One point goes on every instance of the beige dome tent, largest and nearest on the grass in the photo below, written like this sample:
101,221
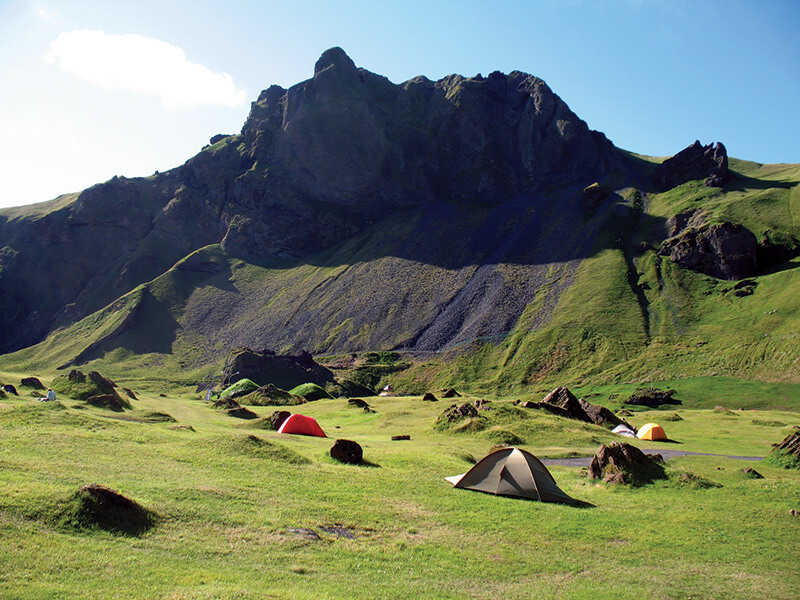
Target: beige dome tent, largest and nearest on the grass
511,472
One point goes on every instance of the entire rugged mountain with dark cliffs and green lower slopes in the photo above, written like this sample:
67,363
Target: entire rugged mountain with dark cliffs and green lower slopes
478,216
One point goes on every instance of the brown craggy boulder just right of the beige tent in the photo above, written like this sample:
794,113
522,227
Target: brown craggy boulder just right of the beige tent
622,463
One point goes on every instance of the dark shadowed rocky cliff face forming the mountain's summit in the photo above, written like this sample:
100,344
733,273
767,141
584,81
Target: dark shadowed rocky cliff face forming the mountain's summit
312,166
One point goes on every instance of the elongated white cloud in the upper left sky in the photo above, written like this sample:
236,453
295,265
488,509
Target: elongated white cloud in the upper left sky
135,63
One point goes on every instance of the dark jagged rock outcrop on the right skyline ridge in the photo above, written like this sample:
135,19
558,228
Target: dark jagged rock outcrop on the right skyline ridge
709,163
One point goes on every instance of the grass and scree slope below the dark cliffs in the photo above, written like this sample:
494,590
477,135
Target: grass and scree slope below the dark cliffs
479,297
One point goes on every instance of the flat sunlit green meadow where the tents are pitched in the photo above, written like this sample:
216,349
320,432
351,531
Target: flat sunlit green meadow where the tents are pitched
232,499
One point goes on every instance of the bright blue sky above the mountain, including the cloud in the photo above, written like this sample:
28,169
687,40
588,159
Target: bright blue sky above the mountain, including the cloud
90,89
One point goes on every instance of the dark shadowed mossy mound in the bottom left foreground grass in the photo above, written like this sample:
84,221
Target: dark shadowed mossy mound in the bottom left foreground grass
95,507
